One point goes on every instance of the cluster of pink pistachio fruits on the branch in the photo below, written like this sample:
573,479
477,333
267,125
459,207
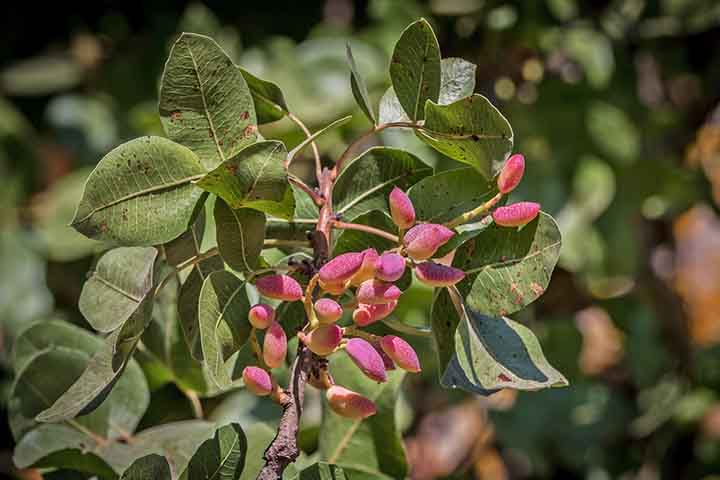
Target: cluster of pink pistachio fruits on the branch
367,279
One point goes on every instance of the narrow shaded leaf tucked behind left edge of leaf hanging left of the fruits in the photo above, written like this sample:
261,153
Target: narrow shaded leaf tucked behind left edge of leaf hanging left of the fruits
188,299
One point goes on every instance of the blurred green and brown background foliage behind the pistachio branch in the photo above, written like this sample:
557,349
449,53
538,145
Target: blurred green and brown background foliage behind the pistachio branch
613,104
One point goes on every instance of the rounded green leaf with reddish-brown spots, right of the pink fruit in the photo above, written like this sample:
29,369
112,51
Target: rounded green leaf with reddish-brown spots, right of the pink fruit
506,268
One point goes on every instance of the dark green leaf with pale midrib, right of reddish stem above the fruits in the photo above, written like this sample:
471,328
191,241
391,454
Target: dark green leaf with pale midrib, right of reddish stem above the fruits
365,183
